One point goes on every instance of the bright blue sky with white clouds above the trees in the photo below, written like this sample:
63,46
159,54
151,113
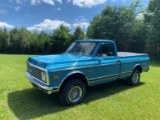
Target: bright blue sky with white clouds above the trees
48,15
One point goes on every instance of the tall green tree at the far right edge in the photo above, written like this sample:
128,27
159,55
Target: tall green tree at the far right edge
152,20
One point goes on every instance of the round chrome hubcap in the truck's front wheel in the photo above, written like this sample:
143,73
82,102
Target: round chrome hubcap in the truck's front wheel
75,94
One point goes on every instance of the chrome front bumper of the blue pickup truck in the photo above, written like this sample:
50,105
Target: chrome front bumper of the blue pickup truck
40,86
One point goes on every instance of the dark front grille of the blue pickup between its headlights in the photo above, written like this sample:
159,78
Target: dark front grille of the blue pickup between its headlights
35,72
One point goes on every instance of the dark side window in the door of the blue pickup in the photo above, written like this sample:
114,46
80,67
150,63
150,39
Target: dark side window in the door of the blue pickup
106,48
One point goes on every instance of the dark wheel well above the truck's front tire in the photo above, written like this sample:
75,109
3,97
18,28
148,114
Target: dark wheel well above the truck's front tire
77,76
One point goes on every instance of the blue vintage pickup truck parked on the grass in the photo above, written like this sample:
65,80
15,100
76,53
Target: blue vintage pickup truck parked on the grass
85,63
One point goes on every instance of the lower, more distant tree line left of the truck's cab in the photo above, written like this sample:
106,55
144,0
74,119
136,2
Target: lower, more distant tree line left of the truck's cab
23,41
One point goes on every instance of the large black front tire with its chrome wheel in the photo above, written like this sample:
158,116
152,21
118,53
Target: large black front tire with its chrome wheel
72,92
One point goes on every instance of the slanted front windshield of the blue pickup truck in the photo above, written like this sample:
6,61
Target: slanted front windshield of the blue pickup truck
81,48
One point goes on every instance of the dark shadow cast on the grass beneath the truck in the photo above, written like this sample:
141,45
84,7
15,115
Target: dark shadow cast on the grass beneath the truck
31,103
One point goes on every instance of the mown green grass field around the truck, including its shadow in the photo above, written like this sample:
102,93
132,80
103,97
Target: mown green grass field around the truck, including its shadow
112,101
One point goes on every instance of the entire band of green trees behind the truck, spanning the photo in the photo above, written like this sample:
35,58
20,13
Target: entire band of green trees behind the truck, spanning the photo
131,27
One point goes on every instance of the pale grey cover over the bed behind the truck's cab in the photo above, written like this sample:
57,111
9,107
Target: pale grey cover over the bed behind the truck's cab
129,54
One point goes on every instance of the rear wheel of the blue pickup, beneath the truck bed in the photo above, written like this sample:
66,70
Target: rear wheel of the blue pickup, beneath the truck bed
134,79
